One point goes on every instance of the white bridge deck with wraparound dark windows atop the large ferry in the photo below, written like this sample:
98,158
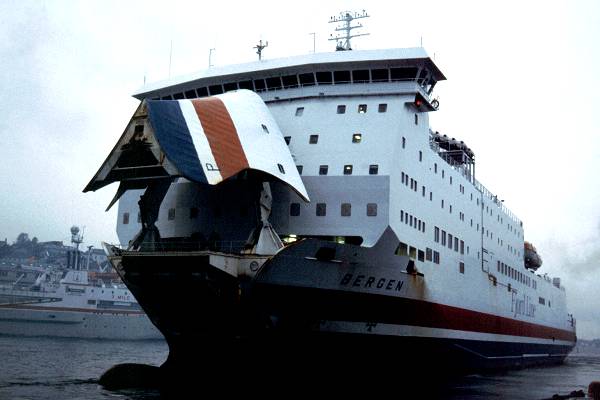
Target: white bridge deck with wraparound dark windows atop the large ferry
362,73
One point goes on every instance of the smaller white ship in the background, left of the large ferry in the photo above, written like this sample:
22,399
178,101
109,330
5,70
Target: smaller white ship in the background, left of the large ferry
70,302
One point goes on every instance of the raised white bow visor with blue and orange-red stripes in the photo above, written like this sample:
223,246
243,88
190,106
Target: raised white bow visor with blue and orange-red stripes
206,140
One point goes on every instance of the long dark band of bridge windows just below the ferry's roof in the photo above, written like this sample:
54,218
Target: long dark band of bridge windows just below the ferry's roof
423,77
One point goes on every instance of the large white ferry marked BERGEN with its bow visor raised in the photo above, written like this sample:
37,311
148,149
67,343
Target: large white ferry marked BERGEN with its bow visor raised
306,204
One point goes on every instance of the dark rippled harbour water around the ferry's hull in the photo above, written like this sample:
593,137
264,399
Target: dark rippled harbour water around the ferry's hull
51,368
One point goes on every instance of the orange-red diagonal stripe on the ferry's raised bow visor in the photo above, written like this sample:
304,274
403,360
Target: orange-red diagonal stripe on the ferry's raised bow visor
222,136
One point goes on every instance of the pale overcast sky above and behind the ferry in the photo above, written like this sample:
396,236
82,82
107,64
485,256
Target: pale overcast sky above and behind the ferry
521,92
